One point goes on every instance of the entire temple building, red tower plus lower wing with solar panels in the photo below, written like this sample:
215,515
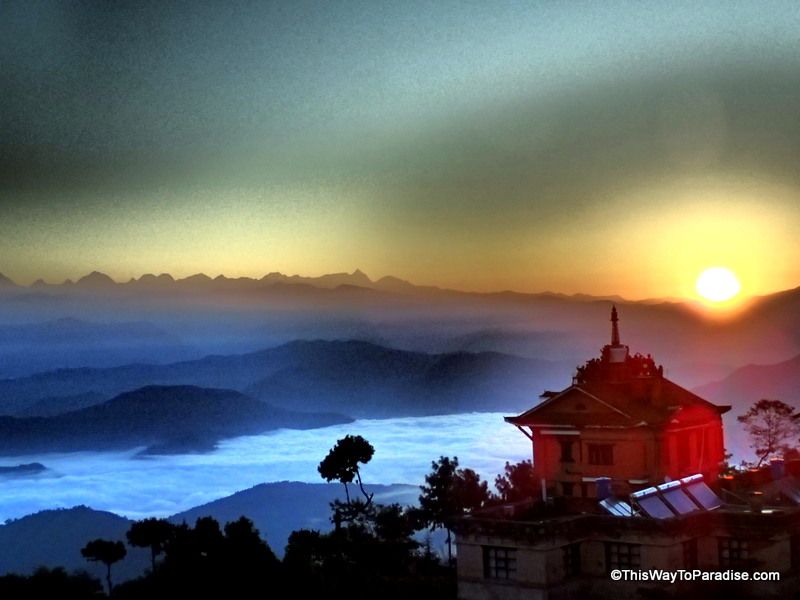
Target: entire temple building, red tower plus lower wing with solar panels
622,423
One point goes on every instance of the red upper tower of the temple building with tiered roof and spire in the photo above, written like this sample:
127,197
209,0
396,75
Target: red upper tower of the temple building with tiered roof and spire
621,418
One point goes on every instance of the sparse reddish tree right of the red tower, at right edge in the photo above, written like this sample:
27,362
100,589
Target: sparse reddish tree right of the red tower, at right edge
770,425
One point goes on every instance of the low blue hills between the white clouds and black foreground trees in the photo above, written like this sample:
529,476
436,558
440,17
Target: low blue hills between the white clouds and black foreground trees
55,537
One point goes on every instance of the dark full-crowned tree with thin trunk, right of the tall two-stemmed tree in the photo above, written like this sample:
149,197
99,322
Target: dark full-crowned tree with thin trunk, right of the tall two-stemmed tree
449,492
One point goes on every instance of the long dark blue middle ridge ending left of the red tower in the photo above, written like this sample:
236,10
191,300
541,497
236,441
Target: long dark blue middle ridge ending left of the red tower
355,378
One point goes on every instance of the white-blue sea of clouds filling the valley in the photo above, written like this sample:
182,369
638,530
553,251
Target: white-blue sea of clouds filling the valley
145,486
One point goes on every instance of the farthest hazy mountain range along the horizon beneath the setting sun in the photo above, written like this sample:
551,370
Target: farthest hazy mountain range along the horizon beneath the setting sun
203,315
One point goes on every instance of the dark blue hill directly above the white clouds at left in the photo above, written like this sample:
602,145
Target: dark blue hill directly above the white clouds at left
166,419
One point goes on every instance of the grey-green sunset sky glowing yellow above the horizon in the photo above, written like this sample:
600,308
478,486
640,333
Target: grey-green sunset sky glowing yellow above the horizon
596,147
